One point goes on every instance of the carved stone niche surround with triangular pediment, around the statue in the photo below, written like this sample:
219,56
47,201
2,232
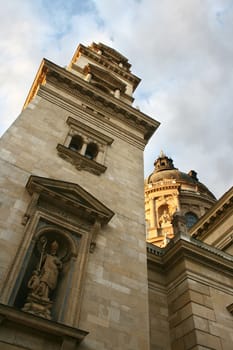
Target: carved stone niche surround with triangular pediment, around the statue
76,238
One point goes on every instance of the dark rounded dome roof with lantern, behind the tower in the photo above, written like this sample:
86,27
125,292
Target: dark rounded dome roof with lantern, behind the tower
165,170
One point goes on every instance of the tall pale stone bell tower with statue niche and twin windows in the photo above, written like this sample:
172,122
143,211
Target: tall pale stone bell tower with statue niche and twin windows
73,258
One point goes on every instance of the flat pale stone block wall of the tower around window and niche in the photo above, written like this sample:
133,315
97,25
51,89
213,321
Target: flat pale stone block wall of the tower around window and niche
114,307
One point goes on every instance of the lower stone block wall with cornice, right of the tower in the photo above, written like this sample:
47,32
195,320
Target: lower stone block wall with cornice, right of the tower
198,286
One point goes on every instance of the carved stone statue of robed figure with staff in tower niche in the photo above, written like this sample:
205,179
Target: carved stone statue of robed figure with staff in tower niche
43,281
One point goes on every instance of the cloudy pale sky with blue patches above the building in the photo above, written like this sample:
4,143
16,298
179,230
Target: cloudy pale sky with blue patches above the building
181,49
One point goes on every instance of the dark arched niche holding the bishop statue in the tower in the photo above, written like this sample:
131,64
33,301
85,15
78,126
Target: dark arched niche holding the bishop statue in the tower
48,268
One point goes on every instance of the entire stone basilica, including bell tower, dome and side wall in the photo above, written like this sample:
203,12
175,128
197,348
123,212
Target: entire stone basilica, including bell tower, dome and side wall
79,268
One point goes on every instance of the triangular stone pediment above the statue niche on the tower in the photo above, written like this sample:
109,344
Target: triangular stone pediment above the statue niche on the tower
70,195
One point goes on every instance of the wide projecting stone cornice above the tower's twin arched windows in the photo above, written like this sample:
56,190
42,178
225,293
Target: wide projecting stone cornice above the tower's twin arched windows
50,72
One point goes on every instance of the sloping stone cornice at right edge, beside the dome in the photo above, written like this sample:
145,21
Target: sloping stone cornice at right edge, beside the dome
214,215
